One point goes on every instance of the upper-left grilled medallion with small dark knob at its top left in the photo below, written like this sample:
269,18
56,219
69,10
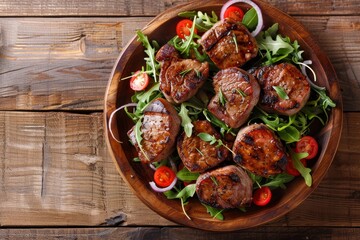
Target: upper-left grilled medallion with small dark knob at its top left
180,79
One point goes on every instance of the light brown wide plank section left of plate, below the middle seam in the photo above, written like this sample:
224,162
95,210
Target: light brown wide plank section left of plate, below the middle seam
56,171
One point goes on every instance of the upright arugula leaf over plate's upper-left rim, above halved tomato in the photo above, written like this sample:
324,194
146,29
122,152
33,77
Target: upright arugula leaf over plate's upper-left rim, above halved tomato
151,64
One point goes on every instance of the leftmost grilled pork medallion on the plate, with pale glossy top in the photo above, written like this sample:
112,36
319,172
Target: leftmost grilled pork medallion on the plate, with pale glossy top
159,128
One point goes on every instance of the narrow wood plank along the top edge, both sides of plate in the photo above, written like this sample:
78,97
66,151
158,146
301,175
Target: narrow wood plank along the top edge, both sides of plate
151,8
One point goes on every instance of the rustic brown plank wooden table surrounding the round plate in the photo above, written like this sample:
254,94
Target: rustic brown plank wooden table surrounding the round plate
57,177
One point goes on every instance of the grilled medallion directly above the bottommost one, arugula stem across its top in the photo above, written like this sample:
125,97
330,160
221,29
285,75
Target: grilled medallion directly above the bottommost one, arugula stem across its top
198,155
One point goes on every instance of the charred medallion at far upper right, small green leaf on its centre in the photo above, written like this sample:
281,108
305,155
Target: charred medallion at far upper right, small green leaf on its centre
289,80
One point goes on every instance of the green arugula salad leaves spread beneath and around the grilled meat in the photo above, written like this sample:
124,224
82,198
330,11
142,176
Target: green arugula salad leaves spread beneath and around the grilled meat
273,48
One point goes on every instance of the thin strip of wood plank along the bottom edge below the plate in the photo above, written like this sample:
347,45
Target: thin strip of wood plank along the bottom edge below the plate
151,233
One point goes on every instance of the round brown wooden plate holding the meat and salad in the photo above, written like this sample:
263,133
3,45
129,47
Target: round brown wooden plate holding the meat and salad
118,93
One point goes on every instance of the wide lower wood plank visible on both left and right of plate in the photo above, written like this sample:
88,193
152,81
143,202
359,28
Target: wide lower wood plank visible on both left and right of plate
56,171
